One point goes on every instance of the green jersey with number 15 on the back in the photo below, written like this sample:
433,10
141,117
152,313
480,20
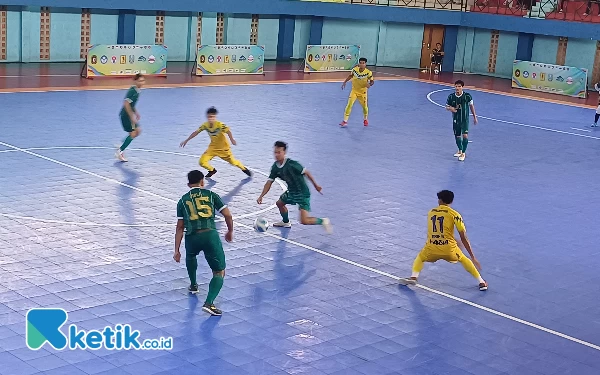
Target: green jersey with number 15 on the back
197,209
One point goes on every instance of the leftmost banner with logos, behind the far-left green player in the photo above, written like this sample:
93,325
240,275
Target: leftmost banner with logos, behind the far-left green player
126,60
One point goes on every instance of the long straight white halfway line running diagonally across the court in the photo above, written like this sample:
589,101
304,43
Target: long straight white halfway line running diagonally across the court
450,296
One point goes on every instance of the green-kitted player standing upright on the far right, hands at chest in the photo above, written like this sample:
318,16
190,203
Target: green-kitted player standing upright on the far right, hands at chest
459,103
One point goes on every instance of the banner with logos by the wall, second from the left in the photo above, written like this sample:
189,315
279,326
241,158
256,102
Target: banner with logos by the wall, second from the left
230,59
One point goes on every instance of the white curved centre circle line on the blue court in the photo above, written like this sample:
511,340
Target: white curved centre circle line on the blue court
119,225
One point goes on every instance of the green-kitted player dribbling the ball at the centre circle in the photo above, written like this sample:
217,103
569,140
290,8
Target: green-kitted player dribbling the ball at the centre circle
294,174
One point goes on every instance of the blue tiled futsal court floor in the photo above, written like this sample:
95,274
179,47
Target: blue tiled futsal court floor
81,232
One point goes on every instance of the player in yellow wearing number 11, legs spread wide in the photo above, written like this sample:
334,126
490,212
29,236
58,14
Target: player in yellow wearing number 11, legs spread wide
441,244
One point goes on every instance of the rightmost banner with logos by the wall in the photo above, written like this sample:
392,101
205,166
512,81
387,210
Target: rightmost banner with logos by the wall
556,79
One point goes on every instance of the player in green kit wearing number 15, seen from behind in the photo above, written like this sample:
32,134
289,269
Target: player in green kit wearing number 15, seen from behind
196,218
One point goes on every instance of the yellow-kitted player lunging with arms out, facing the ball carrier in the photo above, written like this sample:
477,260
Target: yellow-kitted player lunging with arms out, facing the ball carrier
219,147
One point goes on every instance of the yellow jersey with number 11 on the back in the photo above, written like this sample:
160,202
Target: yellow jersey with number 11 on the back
440,228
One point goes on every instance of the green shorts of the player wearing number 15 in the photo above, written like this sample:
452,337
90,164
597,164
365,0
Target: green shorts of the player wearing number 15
208,242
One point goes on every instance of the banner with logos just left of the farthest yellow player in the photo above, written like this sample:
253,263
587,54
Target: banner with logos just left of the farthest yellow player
331,58
